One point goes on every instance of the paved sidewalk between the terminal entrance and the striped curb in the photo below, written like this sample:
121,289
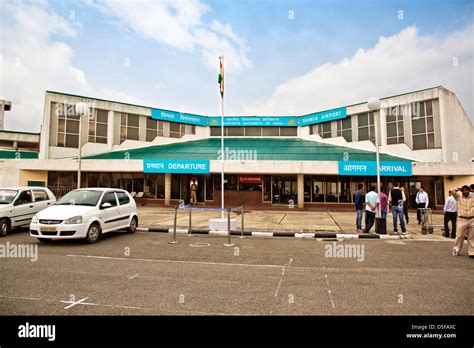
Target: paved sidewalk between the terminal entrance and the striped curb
278,221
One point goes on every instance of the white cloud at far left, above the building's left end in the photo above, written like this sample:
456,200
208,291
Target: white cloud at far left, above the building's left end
31,63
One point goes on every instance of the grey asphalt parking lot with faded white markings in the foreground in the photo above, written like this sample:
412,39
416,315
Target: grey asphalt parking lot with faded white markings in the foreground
141,274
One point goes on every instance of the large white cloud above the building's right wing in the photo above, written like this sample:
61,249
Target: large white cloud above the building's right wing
399,63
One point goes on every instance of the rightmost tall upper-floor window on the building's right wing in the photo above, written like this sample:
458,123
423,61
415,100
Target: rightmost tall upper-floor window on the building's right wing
423,126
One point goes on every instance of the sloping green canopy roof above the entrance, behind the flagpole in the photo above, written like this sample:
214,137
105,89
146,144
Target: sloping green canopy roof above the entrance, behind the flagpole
283,149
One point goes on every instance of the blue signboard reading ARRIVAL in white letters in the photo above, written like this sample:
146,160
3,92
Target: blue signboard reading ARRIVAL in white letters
370,168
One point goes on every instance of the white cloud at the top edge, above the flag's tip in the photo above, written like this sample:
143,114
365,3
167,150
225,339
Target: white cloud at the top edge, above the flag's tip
179,24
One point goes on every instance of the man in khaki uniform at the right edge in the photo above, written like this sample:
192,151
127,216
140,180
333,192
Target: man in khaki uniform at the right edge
465,223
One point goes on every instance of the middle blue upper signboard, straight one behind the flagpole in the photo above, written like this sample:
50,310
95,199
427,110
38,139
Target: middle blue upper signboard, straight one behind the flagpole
255,121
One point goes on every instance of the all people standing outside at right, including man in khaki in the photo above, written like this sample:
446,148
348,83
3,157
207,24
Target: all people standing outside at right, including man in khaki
458,210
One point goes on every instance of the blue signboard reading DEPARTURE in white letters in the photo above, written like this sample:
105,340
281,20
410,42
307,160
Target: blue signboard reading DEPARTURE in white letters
176,166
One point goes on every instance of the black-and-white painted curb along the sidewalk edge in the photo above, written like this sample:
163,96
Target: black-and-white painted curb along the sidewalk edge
300,235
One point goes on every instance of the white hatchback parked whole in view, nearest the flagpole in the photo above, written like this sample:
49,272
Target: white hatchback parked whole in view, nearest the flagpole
86,213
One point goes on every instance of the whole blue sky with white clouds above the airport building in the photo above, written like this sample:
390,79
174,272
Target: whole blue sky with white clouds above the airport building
281,57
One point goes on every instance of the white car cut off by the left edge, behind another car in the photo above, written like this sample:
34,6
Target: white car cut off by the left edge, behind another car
18,205
